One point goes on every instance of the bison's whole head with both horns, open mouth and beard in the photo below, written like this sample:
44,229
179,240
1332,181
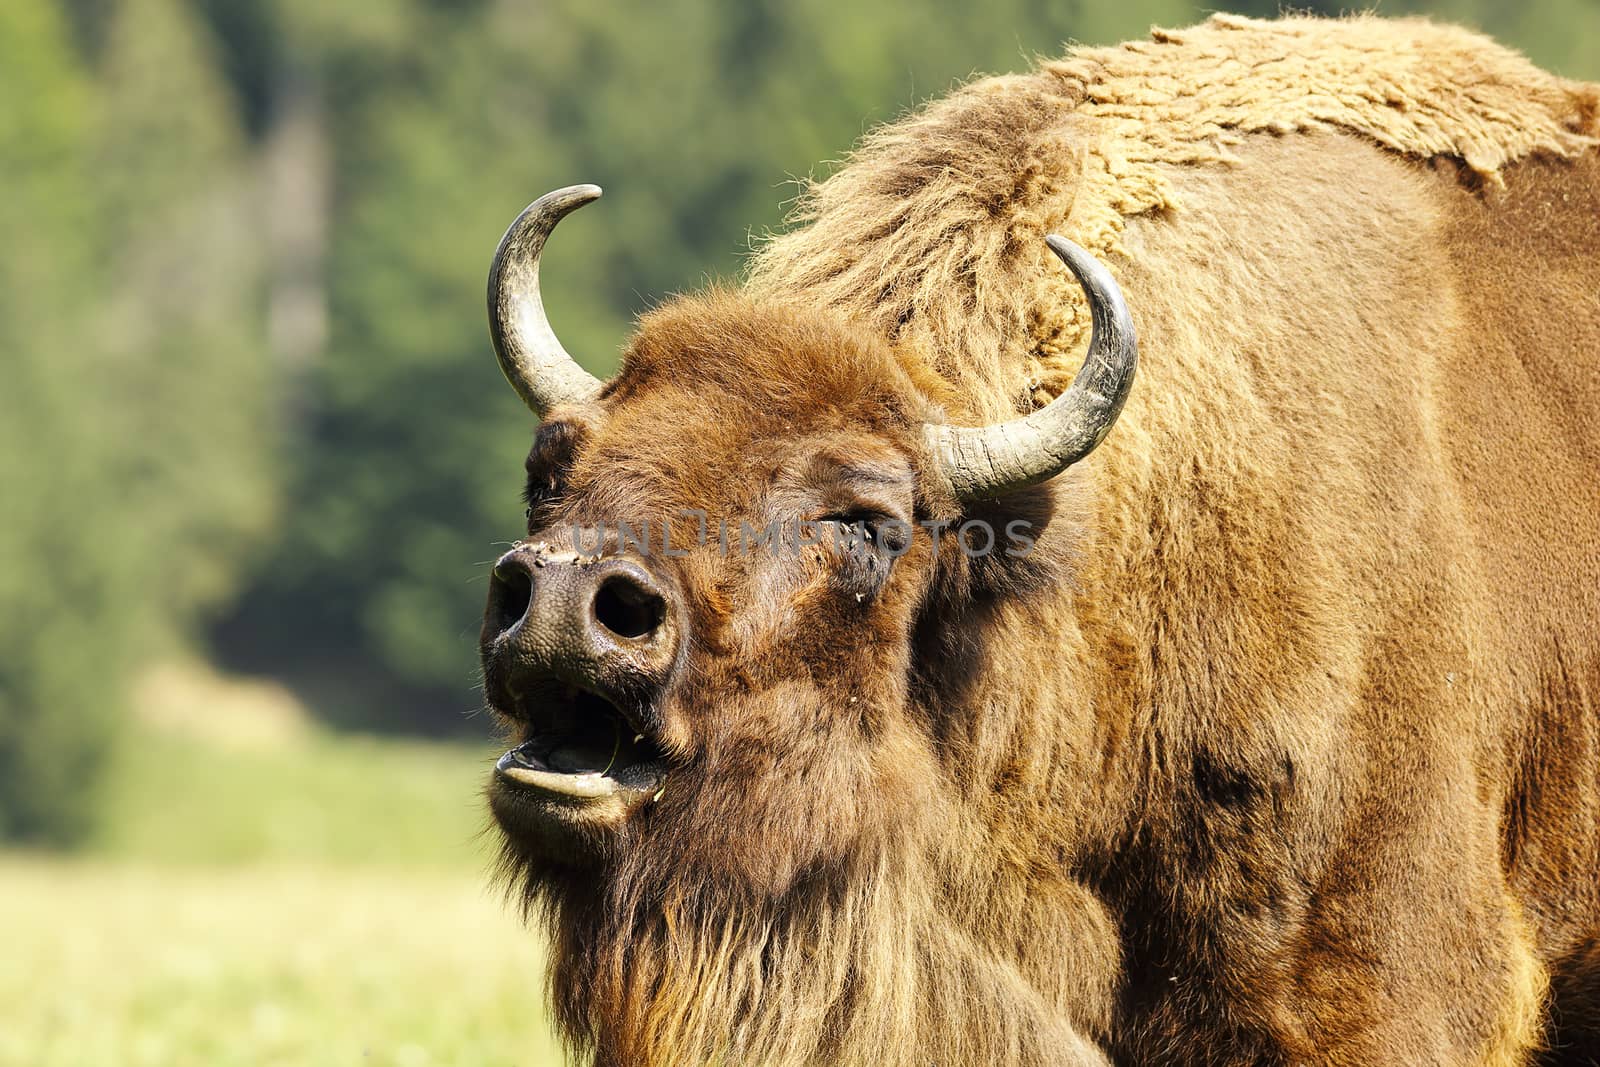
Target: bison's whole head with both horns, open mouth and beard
721,650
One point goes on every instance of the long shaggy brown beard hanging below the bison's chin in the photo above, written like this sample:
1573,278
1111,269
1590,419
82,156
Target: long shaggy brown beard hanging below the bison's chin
854,967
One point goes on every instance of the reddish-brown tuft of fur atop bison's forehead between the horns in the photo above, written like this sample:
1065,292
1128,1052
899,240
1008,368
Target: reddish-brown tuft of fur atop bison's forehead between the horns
730,356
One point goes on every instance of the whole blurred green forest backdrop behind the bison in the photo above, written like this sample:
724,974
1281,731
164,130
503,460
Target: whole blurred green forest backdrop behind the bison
250,399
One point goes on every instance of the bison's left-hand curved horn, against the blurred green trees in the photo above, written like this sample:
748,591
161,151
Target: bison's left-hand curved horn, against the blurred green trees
530,356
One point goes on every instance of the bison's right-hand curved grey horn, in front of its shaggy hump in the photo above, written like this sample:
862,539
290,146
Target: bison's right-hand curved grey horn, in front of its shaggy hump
986,462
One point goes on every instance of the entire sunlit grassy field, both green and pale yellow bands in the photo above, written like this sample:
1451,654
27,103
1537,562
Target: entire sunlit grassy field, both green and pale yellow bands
303,900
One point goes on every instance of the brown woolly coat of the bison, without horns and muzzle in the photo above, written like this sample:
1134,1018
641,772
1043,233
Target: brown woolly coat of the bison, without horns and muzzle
1284,746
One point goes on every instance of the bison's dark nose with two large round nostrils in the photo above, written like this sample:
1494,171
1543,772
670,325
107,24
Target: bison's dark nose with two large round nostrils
582,620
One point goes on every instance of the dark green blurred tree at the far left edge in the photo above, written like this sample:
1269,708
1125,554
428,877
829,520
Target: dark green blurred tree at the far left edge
60,634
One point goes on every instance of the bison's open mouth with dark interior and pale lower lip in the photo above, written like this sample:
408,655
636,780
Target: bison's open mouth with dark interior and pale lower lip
582,746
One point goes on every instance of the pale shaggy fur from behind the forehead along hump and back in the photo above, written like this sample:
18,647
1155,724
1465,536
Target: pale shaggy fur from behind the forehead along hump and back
934,231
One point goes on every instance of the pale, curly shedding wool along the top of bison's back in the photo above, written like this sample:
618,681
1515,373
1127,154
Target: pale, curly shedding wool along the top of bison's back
1415,87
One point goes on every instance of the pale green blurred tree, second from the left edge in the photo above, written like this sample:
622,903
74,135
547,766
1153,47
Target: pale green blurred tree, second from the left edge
180,321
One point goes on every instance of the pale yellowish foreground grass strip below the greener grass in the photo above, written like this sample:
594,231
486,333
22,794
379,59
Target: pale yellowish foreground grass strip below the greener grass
151,967
